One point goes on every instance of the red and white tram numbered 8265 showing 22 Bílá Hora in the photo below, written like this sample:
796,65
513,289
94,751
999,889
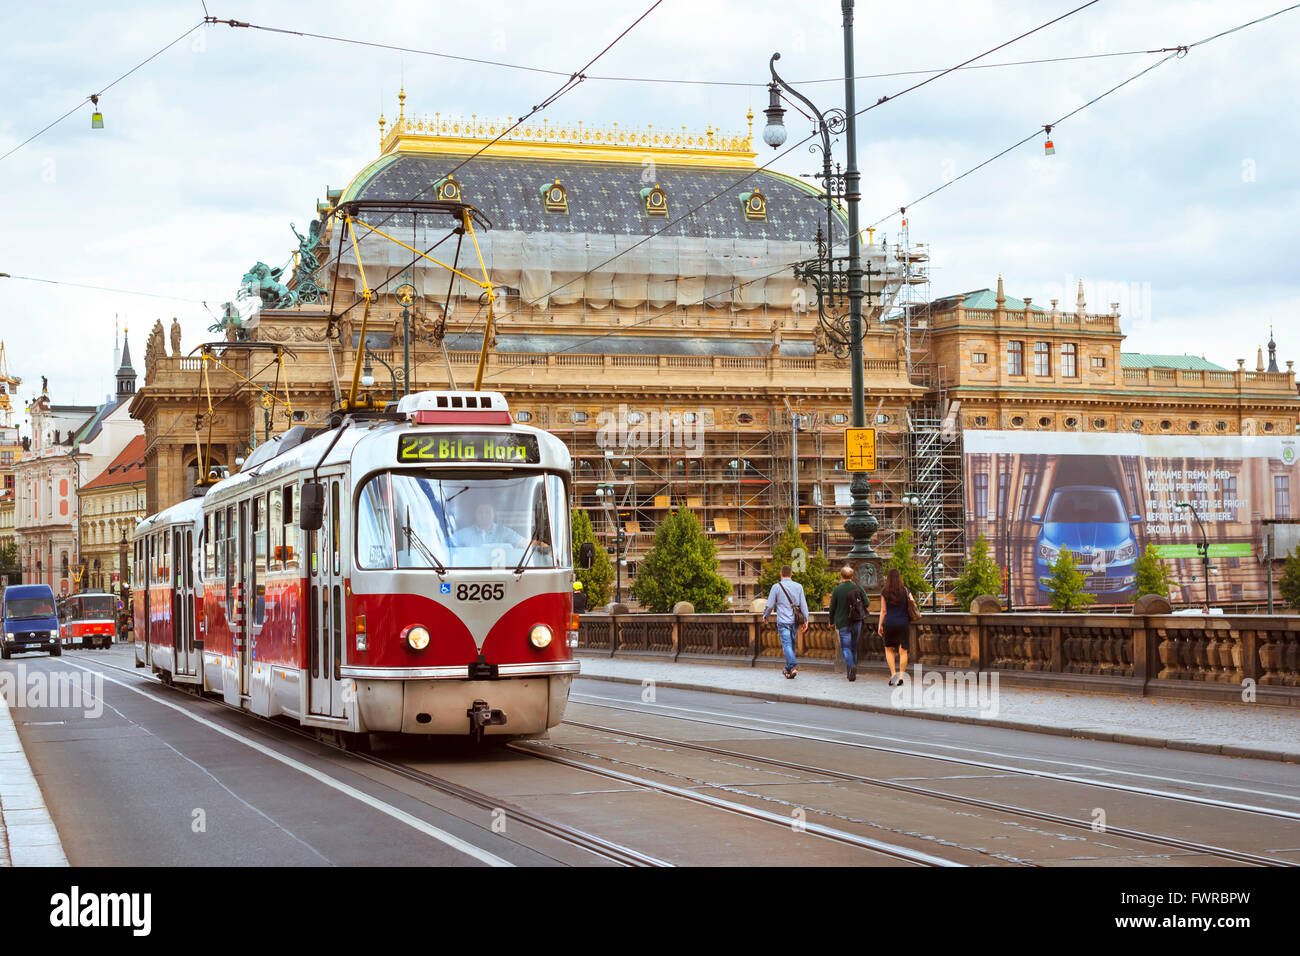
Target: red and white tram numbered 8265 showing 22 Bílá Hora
401,573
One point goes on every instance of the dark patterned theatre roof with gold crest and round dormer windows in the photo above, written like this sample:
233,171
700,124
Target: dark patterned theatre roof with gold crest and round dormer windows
608,178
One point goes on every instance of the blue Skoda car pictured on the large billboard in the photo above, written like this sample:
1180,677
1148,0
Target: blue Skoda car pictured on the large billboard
1093,525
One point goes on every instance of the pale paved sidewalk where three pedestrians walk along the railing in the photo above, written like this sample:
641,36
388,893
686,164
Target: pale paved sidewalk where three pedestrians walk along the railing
1233,730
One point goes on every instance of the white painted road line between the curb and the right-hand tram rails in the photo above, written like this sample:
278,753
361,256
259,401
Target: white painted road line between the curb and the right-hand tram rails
783,729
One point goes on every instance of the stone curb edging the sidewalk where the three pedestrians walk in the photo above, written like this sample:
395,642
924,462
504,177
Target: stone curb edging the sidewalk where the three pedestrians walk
1084,733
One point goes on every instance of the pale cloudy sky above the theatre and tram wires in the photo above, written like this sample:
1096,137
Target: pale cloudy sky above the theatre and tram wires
1176,197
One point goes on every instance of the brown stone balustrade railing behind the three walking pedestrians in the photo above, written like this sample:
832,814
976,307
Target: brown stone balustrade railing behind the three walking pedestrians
1230,657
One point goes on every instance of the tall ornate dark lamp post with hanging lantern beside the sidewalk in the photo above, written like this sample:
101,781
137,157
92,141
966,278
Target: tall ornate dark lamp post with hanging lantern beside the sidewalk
830,282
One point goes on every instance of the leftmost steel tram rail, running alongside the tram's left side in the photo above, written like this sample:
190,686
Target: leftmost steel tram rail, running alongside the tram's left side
570,836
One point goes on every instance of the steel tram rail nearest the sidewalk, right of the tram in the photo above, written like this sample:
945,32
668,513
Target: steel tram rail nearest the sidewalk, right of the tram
1043,816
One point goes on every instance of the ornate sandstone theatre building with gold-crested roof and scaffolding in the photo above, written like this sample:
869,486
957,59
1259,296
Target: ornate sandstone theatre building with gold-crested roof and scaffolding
648,314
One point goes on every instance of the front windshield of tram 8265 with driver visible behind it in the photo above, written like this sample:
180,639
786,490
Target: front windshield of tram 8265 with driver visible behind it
467,521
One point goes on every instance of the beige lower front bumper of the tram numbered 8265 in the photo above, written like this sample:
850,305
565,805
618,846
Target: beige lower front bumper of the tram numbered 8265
531,706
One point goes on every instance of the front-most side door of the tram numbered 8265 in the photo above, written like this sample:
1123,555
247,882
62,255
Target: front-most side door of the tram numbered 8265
328,607
